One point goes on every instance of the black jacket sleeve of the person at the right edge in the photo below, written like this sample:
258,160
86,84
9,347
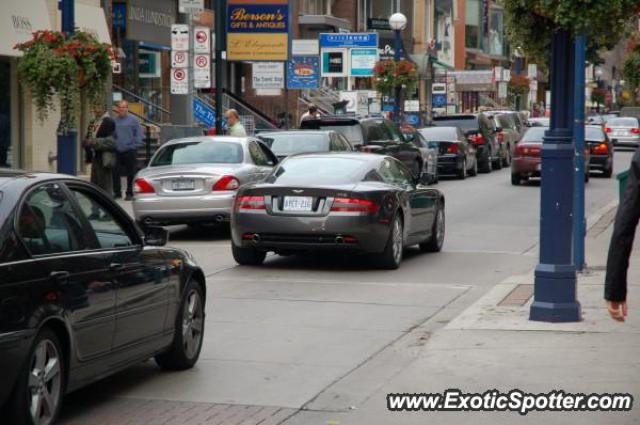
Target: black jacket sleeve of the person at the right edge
624,231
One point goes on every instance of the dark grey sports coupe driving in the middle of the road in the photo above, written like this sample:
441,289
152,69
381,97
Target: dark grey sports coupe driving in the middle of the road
359,203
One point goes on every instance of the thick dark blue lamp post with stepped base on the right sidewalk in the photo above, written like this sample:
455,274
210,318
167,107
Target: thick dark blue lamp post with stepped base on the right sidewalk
555,276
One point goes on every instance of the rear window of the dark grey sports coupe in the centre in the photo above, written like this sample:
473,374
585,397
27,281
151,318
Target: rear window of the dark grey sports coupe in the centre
318,171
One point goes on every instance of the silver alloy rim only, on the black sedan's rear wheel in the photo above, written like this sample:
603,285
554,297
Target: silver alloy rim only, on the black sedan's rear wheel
45,383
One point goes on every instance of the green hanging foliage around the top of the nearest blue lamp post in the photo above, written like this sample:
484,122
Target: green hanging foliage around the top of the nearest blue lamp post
530,23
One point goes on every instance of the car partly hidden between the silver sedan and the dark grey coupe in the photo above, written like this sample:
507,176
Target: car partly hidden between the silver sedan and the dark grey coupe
285,143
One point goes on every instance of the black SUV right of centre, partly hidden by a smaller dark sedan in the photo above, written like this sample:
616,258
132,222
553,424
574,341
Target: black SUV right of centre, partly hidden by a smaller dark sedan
481,133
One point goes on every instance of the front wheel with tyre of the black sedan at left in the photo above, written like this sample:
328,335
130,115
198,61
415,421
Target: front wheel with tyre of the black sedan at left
189,331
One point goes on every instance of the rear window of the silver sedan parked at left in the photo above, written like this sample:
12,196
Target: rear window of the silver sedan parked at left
199,152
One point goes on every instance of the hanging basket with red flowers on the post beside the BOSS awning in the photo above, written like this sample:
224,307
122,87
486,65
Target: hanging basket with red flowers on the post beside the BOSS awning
61,67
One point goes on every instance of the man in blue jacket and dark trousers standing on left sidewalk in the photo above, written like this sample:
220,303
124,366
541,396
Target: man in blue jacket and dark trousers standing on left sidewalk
128,138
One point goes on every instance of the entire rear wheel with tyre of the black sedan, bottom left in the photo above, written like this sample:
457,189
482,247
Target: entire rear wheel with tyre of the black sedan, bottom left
38,394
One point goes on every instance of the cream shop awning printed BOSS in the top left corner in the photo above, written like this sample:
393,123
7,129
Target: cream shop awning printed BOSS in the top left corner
18,20
